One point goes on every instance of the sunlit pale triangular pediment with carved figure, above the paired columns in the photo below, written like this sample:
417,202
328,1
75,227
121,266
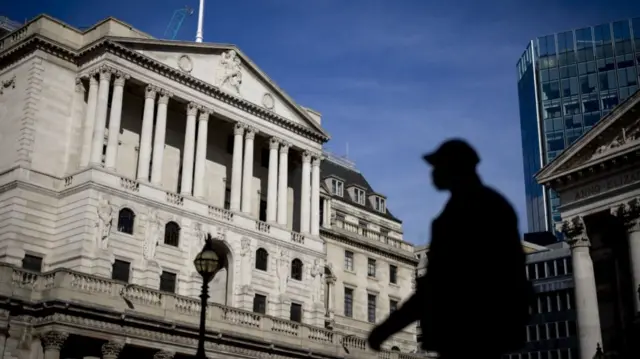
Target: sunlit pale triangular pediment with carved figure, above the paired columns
229,69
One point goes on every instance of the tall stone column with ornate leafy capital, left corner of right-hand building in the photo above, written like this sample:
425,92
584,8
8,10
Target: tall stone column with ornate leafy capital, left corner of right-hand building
588,315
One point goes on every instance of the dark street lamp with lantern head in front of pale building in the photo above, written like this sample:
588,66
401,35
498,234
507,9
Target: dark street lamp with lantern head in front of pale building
207,263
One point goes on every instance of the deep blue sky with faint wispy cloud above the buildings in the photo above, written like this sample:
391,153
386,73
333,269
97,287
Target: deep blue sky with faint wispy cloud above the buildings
392,78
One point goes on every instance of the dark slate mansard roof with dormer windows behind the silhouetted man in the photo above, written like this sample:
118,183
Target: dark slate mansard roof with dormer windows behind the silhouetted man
352,177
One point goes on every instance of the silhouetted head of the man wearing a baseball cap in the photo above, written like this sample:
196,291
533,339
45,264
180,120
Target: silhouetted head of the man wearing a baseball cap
454,164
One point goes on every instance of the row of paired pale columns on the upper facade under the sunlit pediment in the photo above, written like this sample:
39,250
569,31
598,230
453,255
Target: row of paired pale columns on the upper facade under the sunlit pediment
152,143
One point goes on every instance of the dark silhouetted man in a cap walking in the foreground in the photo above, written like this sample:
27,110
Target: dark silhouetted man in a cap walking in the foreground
473,301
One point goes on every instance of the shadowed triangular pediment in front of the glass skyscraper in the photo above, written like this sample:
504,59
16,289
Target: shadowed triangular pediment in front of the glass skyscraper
617,134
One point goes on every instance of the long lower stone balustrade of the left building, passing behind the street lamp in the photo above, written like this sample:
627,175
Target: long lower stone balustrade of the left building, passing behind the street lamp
74,287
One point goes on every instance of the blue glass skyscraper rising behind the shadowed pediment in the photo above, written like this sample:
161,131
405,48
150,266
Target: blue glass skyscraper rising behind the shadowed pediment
567,81
